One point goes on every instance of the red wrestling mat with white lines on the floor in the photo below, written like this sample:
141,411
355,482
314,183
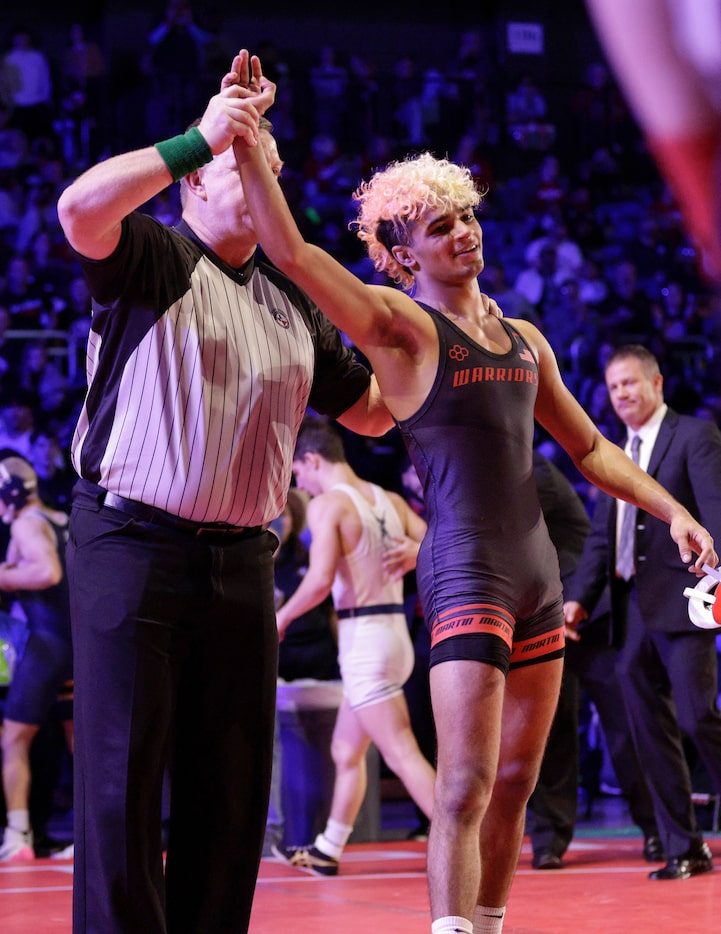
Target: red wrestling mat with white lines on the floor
382,888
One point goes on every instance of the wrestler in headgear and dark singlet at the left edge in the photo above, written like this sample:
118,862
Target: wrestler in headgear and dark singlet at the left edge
34,570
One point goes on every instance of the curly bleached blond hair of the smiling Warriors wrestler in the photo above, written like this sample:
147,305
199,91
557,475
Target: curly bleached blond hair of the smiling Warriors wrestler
397,195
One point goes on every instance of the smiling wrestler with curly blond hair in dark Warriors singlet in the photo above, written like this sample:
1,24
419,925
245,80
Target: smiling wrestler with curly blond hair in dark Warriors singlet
464,386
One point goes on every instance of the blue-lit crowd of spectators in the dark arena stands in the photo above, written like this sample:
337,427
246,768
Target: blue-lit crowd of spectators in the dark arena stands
586,242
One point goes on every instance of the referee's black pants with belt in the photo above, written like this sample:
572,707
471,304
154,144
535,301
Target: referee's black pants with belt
175,658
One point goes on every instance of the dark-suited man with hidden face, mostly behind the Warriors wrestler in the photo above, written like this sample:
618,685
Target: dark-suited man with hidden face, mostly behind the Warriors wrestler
589,664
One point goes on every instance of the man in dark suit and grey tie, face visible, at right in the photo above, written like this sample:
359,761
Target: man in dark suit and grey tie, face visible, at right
668,670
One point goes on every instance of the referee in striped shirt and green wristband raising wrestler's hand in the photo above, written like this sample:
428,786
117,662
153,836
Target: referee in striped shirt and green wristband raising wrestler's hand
201,361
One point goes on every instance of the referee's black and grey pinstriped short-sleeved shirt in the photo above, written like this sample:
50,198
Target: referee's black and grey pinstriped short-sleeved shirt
199,376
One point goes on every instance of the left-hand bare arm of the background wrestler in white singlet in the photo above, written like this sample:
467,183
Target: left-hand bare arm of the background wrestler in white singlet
324,555
